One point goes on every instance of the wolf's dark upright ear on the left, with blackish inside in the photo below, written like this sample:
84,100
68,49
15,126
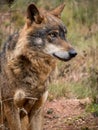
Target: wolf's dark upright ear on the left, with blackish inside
33,15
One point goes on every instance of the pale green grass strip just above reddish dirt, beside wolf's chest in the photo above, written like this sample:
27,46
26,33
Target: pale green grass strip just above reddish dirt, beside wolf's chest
69,90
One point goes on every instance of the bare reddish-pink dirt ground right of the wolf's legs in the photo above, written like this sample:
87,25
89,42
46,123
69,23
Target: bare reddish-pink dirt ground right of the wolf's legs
69,114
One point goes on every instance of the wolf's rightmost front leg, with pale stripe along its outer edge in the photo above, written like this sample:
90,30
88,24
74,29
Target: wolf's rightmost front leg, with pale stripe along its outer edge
36,114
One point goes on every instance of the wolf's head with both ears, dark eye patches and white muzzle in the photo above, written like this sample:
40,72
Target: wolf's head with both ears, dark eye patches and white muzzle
46,33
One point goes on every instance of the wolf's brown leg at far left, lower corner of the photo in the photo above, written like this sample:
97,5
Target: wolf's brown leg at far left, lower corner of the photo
12,116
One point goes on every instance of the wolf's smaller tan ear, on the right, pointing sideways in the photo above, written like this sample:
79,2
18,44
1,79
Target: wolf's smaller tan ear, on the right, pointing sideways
57,11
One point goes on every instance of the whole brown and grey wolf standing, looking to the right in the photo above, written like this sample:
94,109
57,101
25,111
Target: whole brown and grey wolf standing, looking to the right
26,61
